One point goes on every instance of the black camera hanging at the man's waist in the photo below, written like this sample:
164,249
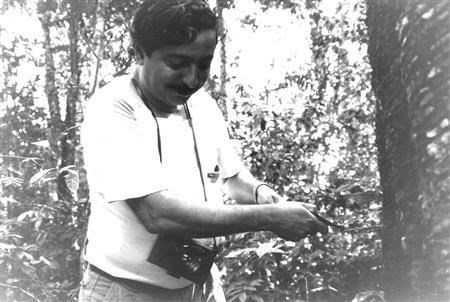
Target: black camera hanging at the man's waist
183,257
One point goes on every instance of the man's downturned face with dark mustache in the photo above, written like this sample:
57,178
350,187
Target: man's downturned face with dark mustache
171,74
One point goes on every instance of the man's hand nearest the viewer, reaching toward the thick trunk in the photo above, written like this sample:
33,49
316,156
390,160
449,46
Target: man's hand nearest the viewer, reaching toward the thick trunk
295,222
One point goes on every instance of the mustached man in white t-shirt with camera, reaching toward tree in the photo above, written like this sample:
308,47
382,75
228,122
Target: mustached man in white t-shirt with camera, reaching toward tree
158,155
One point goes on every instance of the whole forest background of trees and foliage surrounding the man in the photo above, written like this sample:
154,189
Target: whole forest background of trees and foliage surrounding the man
344,104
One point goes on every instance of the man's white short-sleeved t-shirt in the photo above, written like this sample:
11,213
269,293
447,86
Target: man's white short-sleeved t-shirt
119,137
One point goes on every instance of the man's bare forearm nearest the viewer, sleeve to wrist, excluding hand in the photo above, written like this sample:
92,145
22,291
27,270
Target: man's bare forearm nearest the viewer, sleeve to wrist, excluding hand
165,213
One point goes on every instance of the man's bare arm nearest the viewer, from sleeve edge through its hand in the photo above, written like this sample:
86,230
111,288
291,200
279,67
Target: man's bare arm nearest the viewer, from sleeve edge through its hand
165,213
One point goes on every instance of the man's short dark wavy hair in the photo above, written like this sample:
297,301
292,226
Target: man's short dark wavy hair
159,23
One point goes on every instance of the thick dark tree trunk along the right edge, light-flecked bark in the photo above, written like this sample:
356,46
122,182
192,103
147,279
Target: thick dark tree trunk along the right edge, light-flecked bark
409,53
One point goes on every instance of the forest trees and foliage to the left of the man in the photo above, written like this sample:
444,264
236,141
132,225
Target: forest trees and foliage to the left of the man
44,197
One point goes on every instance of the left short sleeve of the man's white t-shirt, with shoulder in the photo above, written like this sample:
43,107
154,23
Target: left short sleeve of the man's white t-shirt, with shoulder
121,151
